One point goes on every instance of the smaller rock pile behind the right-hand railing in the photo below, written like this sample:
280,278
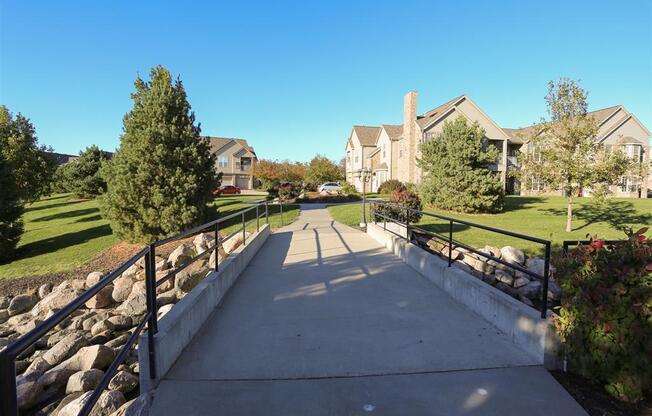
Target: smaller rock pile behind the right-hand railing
517,284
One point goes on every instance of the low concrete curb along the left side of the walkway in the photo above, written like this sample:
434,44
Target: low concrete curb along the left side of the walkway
179,326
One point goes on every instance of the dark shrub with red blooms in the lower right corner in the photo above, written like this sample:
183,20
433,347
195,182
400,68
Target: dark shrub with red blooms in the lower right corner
605,317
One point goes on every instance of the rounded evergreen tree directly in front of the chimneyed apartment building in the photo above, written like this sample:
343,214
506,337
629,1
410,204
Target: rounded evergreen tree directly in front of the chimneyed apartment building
457,170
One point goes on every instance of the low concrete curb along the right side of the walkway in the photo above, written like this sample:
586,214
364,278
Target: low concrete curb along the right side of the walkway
522,323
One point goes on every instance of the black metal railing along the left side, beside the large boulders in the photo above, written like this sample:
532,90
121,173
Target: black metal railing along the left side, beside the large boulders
8,403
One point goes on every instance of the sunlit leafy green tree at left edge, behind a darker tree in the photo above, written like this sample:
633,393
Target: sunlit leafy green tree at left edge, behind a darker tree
33,169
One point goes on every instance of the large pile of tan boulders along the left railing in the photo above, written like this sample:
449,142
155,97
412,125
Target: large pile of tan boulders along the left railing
57,374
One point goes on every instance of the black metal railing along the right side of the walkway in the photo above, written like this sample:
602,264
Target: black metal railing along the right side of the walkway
452,243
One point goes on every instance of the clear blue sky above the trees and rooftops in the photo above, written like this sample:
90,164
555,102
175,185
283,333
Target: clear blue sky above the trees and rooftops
292,77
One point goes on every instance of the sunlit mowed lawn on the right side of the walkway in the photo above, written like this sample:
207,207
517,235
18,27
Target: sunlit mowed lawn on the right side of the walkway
543,217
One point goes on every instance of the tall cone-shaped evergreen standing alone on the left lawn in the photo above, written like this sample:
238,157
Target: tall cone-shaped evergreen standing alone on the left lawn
160,179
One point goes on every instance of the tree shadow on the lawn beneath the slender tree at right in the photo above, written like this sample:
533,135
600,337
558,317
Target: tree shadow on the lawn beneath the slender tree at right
619,215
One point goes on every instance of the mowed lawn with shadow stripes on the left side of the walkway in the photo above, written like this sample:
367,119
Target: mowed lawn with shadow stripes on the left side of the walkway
62,234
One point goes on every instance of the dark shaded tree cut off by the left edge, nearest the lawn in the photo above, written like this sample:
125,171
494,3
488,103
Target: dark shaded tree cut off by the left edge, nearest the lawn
11,210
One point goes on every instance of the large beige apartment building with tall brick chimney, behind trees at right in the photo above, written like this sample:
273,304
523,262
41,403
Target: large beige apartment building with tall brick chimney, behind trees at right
390,151
